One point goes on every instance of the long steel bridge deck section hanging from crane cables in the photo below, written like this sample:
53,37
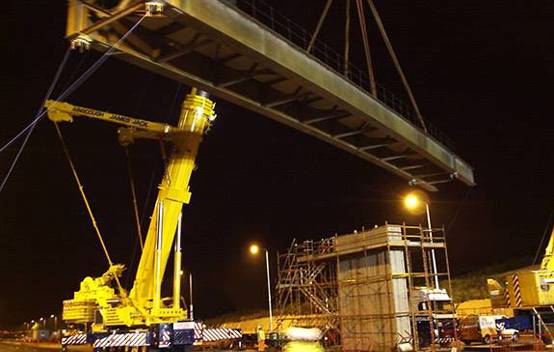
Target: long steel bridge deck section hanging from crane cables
217,47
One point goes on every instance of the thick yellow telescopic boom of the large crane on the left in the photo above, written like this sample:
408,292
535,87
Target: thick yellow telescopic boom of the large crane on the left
173,193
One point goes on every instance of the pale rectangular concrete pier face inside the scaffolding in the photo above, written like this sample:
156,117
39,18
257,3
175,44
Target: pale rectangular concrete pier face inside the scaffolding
374,308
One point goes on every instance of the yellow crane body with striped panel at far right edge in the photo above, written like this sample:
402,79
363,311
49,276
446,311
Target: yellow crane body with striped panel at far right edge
528,288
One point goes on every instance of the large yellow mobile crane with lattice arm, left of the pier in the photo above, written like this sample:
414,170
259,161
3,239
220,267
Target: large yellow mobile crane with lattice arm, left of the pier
144,304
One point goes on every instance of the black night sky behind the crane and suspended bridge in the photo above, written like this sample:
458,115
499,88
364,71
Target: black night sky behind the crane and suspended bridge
481,70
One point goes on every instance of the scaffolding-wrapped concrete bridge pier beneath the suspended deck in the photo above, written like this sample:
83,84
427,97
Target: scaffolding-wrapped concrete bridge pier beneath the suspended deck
371,290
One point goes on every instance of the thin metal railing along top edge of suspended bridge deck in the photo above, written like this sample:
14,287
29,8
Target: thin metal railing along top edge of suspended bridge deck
300,37
